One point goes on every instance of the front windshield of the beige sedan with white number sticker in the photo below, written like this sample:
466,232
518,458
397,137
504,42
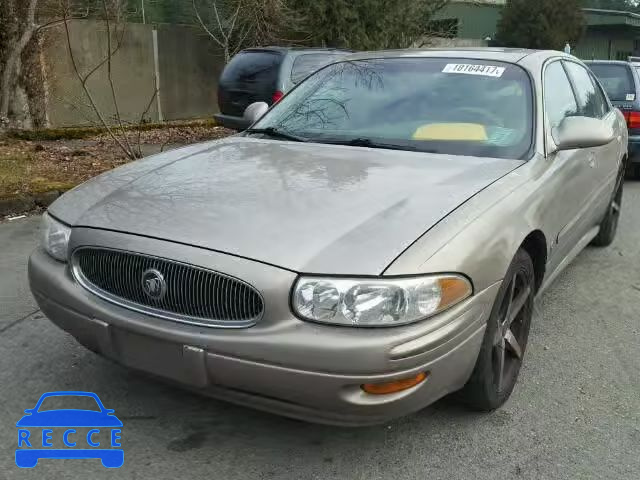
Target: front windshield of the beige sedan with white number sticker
450,106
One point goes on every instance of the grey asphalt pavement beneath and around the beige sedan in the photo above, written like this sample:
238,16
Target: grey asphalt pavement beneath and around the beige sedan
575,413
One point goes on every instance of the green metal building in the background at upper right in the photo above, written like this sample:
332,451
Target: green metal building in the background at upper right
609,34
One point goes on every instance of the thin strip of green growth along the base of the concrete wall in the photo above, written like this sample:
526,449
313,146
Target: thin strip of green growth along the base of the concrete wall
79,133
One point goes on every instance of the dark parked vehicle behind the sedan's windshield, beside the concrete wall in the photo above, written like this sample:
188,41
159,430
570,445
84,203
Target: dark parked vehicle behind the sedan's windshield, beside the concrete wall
265,75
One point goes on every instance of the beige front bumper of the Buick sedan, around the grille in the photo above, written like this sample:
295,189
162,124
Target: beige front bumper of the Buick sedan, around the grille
281,365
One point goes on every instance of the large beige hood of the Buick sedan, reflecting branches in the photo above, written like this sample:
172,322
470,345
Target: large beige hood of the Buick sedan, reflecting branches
305,207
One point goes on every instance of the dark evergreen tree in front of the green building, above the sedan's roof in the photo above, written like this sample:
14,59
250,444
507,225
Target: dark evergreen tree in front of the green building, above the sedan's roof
541,24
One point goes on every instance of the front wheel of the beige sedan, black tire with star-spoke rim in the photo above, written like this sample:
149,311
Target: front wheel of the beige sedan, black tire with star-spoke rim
491,384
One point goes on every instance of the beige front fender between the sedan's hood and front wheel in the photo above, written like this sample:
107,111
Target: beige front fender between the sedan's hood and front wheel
481,237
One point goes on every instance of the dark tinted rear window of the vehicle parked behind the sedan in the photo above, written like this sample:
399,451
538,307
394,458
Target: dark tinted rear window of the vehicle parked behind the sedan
251,68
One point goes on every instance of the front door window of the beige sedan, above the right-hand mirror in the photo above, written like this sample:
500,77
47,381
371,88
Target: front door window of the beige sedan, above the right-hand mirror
559,101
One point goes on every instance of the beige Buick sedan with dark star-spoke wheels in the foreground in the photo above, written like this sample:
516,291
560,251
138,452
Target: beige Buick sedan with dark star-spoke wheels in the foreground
373,243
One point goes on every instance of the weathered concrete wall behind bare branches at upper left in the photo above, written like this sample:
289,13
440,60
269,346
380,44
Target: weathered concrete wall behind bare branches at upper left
188,71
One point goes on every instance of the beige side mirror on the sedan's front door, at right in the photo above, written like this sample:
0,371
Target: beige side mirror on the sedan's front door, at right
581,132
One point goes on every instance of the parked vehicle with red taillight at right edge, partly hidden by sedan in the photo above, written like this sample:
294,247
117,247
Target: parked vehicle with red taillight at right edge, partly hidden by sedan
621,81
